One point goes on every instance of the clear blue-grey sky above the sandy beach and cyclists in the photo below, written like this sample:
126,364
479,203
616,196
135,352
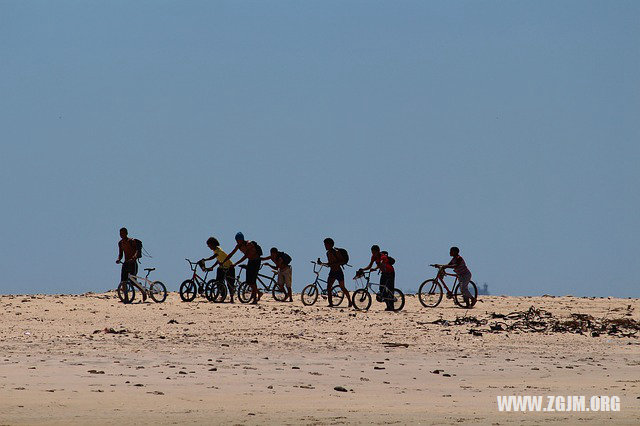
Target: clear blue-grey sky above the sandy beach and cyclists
508,128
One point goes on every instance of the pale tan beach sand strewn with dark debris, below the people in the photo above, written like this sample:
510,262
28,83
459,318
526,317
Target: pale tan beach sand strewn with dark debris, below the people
279,363
